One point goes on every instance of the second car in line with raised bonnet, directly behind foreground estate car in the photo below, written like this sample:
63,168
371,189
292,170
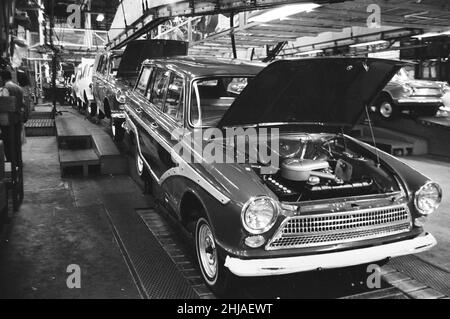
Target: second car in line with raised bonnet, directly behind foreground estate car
115,72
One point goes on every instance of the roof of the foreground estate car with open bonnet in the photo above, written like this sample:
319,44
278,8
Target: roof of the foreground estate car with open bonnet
194,67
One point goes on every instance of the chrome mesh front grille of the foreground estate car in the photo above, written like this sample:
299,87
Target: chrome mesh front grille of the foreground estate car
326,229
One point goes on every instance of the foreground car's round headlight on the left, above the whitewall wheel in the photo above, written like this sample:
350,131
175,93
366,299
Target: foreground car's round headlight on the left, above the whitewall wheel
259,214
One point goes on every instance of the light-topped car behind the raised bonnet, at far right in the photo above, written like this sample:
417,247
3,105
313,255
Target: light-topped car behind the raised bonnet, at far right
421,97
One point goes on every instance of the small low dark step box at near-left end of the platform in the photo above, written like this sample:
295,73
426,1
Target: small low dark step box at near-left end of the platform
74,161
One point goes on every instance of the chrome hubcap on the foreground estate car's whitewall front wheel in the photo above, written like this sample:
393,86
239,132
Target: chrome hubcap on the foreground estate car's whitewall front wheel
207,250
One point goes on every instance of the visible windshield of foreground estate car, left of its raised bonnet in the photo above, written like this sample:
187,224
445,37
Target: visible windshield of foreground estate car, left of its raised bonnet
211,97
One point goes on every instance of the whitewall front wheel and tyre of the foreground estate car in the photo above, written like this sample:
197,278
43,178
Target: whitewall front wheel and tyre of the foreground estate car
212,268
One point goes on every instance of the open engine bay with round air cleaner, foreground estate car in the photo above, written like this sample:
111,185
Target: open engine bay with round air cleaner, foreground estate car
321,166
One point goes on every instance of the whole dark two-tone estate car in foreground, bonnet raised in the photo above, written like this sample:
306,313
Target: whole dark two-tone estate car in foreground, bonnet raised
332,201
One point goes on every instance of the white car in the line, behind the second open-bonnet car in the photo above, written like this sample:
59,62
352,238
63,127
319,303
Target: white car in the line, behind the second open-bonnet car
82,86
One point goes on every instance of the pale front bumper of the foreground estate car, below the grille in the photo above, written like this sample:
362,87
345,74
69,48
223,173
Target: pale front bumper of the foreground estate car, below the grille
288,265
